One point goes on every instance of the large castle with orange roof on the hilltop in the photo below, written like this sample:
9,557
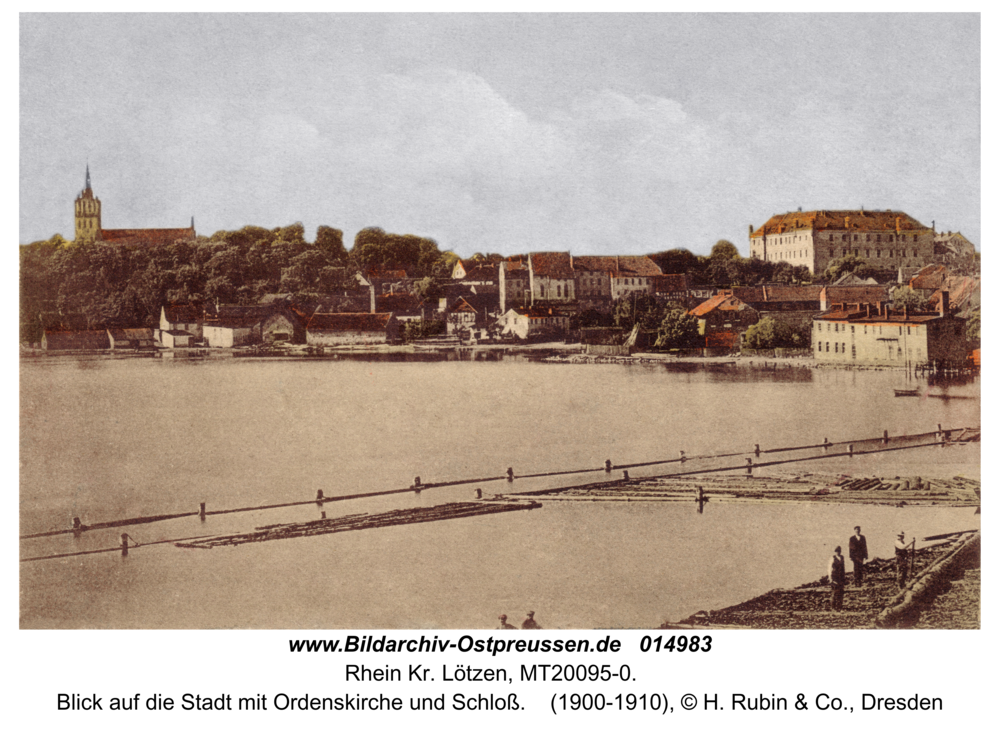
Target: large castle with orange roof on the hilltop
888,238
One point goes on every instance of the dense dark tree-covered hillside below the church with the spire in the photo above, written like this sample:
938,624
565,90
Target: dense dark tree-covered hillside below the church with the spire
114,285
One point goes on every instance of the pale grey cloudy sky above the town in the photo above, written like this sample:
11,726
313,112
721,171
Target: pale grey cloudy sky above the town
596,134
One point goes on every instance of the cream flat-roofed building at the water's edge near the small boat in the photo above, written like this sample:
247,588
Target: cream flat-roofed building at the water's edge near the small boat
880,335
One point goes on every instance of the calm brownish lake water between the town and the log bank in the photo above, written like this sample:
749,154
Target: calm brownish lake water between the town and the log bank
106,439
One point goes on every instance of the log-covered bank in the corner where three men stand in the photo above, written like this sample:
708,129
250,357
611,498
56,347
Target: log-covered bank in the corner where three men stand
944,593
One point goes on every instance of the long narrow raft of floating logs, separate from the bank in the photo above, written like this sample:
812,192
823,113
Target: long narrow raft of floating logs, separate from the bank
355,522
